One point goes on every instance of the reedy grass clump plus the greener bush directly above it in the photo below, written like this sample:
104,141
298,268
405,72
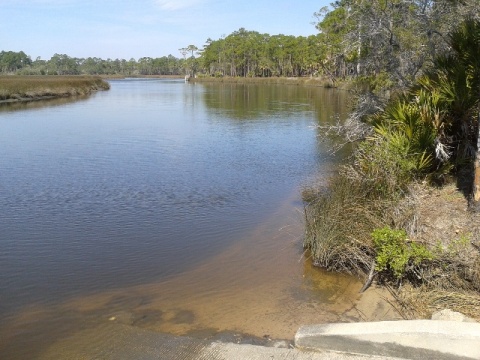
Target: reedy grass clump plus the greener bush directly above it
364,195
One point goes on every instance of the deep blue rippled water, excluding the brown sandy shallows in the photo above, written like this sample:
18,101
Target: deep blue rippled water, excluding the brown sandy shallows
143,182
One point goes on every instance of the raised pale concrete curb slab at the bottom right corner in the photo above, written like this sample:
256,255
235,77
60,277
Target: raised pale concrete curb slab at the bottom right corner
412,339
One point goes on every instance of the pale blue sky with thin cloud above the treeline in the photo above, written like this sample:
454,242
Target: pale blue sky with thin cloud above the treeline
136,28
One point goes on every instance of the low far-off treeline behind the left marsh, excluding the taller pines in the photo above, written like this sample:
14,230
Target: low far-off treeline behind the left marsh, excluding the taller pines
60,64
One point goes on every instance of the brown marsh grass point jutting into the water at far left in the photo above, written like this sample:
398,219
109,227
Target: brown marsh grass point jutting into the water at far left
27,88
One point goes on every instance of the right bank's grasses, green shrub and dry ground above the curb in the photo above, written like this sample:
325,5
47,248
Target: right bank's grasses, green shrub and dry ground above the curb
418,239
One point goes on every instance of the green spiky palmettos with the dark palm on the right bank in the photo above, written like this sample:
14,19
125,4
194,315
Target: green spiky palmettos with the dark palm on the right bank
434,125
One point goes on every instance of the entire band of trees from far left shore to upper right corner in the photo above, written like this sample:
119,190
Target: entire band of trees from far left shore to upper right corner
387,43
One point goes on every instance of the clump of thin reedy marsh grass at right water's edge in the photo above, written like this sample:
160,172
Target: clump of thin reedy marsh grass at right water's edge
339,220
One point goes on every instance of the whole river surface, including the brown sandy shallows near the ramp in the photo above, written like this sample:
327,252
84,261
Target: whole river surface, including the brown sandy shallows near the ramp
175,192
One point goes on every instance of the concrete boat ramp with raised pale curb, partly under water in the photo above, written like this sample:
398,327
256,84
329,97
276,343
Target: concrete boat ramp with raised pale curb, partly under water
414,339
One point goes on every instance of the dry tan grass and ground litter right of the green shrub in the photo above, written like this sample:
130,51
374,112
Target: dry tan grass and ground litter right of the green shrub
442,220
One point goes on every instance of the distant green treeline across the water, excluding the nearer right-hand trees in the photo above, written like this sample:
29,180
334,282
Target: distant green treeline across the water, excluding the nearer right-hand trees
242,53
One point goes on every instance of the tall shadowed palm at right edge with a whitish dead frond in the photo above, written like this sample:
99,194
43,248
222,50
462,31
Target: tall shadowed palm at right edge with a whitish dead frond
453,91
